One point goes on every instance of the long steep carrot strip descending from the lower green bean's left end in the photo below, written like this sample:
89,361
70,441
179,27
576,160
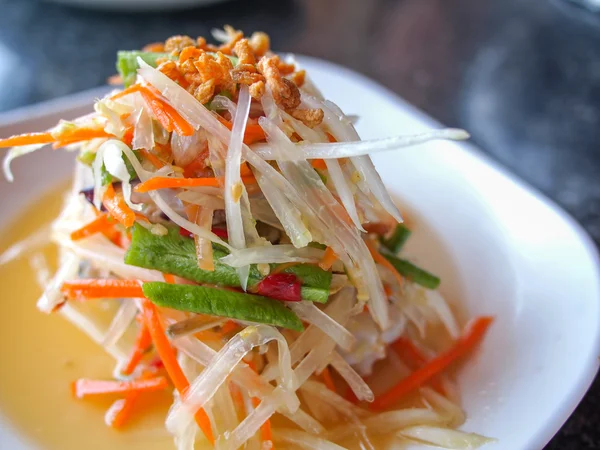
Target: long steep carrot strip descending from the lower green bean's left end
167,356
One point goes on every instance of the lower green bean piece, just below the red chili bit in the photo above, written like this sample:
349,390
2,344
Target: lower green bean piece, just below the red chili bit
218,302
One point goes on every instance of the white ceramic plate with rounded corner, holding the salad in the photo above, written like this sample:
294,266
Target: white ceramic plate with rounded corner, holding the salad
499,246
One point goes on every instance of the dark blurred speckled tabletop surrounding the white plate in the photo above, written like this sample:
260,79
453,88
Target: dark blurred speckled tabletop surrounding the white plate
523,76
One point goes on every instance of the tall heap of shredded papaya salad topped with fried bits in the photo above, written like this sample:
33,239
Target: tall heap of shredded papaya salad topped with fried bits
227,237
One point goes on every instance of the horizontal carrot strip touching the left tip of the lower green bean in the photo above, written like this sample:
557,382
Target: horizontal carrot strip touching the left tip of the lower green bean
102,288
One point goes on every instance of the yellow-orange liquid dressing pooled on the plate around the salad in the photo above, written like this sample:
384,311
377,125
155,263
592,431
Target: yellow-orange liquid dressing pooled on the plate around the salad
41,354
